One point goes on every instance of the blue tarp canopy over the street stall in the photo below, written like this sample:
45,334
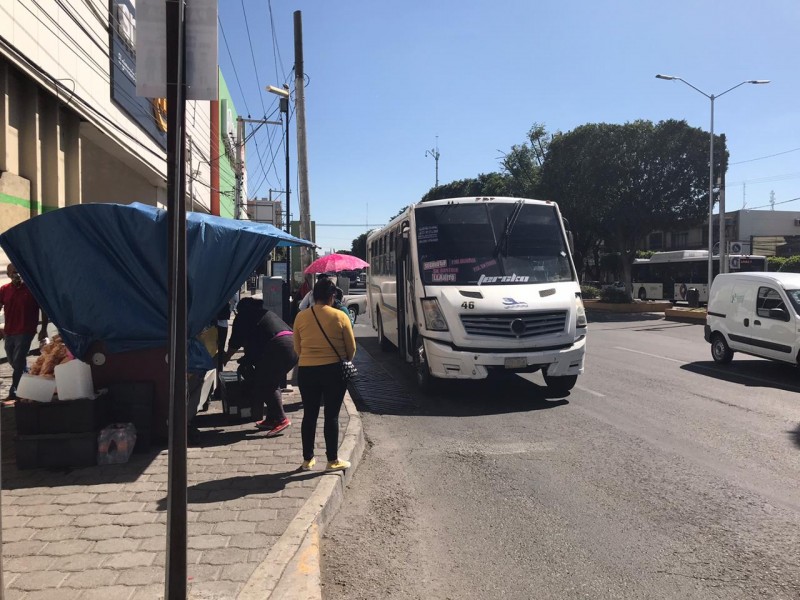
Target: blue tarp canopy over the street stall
99,271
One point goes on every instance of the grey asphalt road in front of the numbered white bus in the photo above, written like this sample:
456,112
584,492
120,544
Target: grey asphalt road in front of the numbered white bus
661,475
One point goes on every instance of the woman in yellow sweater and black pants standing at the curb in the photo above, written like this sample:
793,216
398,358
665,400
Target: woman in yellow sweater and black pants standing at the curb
323,337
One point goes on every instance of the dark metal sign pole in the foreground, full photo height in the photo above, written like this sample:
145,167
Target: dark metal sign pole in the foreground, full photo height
175,576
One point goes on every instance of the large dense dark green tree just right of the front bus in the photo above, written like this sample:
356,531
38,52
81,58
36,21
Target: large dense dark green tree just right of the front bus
617,183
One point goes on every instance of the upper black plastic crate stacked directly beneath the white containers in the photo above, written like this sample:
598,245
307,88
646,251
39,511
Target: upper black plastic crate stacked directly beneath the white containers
61,416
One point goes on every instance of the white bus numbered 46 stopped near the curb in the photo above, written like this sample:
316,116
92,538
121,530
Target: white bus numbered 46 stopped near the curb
469,286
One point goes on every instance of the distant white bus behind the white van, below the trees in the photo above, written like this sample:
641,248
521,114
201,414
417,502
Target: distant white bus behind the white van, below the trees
670,275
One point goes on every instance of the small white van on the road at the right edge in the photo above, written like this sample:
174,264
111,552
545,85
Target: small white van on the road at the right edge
754,313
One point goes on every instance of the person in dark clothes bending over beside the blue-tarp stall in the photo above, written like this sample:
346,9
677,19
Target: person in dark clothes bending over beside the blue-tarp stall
268,355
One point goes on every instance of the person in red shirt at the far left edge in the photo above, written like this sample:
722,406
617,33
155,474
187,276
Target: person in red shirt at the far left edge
21,319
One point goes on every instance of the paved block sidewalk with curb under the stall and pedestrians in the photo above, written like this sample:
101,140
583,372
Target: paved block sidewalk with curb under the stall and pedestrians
253,517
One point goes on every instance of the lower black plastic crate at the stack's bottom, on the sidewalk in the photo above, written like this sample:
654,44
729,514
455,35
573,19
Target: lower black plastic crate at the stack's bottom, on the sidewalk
61,450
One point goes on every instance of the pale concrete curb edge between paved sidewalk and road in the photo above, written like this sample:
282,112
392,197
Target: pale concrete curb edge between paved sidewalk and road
291,570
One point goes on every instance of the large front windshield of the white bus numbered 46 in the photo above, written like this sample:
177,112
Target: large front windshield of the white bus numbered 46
491,244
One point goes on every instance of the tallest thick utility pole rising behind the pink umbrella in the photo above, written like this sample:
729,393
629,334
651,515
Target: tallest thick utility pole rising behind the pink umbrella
302,151
